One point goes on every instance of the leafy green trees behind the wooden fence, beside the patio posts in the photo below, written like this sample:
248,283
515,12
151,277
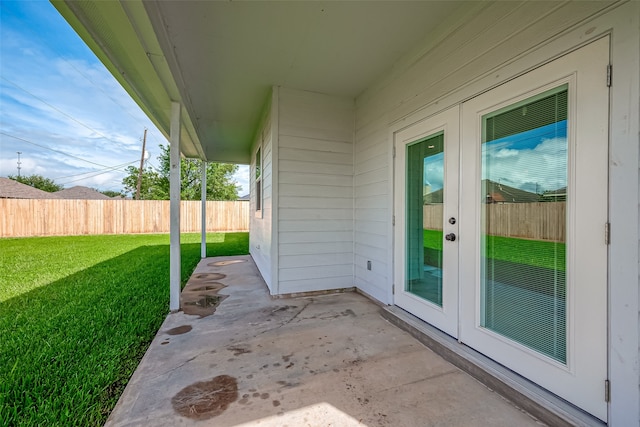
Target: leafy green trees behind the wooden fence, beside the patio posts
155,184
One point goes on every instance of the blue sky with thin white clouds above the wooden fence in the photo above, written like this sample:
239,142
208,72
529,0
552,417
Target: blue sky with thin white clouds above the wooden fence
62,109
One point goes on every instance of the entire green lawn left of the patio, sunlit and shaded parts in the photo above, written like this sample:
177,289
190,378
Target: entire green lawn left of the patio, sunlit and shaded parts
76,316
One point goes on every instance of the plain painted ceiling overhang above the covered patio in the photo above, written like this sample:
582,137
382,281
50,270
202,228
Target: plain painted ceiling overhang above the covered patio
219,60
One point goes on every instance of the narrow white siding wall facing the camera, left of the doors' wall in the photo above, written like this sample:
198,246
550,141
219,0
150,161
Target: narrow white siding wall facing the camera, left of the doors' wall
315,192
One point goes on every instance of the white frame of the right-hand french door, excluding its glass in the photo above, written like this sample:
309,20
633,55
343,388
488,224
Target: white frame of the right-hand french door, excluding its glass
581,380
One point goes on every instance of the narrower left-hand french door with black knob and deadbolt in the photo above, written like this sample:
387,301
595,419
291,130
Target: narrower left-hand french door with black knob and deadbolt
426,193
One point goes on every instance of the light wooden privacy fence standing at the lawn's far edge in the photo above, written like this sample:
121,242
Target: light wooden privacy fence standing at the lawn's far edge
56,217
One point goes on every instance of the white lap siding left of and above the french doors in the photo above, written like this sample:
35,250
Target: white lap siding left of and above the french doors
430,78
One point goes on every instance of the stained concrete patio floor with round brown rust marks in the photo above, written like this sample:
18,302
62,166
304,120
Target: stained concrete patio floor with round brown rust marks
328,360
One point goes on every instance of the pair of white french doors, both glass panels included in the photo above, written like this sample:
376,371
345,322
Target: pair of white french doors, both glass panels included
522,173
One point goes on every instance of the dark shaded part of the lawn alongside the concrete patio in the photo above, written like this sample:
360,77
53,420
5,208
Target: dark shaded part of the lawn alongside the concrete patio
67,349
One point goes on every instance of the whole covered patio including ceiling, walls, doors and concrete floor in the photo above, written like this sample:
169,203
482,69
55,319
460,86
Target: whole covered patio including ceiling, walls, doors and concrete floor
335,106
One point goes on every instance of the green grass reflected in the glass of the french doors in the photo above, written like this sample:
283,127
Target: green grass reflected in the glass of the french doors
536,253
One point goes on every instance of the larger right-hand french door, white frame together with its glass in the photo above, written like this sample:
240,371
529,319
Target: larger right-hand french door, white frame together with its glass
533,207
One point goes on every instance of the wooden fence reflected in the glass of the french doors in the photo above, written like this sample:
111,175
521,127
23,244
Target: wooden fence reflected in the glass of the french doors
538,221
